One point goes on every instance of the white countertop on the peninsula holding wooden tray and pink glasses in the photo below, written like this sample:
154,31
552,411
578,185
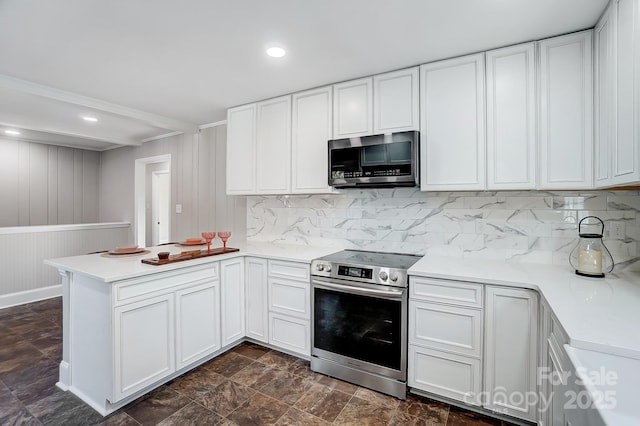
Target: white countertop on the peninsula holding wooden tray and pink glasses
121,267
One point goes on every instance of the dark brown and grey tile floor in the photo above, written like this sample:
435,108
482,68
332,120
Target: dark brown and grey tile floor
249,385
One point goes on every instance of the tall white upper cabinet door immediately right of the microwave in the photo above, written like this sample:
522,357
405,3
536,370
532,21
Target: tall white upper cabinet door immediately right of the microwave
452,142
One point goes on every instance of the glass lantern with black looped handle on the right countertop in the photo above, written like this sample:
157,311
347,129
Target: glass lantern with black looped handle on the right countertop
590,257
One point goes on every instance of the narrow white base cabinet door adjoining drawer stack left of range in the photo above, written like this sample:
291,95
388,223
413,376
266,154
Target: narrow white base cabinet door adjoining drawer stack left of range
257,314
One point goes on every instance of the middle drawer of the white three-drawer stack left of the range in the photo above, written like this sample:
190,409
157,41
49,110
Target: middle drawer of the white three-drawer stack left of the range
289,297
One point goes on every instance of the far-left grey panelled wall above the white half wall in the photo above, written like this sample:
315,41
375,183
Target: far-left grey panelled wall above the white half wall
47,185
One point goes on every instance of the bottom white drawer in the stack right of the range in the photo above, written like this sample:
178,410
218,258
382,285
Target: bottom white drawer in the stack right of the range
452,376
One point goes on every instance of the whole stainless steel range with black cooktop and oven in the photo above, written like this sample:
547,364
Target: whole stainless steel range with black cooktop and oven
359,318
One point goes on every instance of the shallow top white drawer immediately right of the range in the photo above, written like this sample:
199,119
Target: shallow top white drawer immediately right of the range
446,291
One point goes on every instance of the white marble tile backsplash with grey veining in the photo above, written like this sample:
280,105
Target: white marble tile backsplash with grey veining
535,226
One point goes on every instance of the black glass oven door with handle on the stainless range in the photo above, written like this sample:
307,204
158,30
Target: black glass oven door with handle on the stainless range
359,325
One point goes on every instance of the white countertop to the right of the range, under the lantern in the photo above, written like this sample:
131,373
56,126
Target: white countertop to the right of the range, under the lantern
597,314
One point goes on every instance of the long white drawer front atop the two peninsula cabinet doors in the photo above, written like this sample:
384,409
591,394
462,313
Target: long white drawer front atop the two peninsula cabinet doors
131,290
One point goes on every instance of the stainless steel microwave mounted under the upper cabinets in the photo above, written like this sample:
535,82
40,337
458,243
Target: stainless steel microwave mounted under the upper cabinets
375,161
